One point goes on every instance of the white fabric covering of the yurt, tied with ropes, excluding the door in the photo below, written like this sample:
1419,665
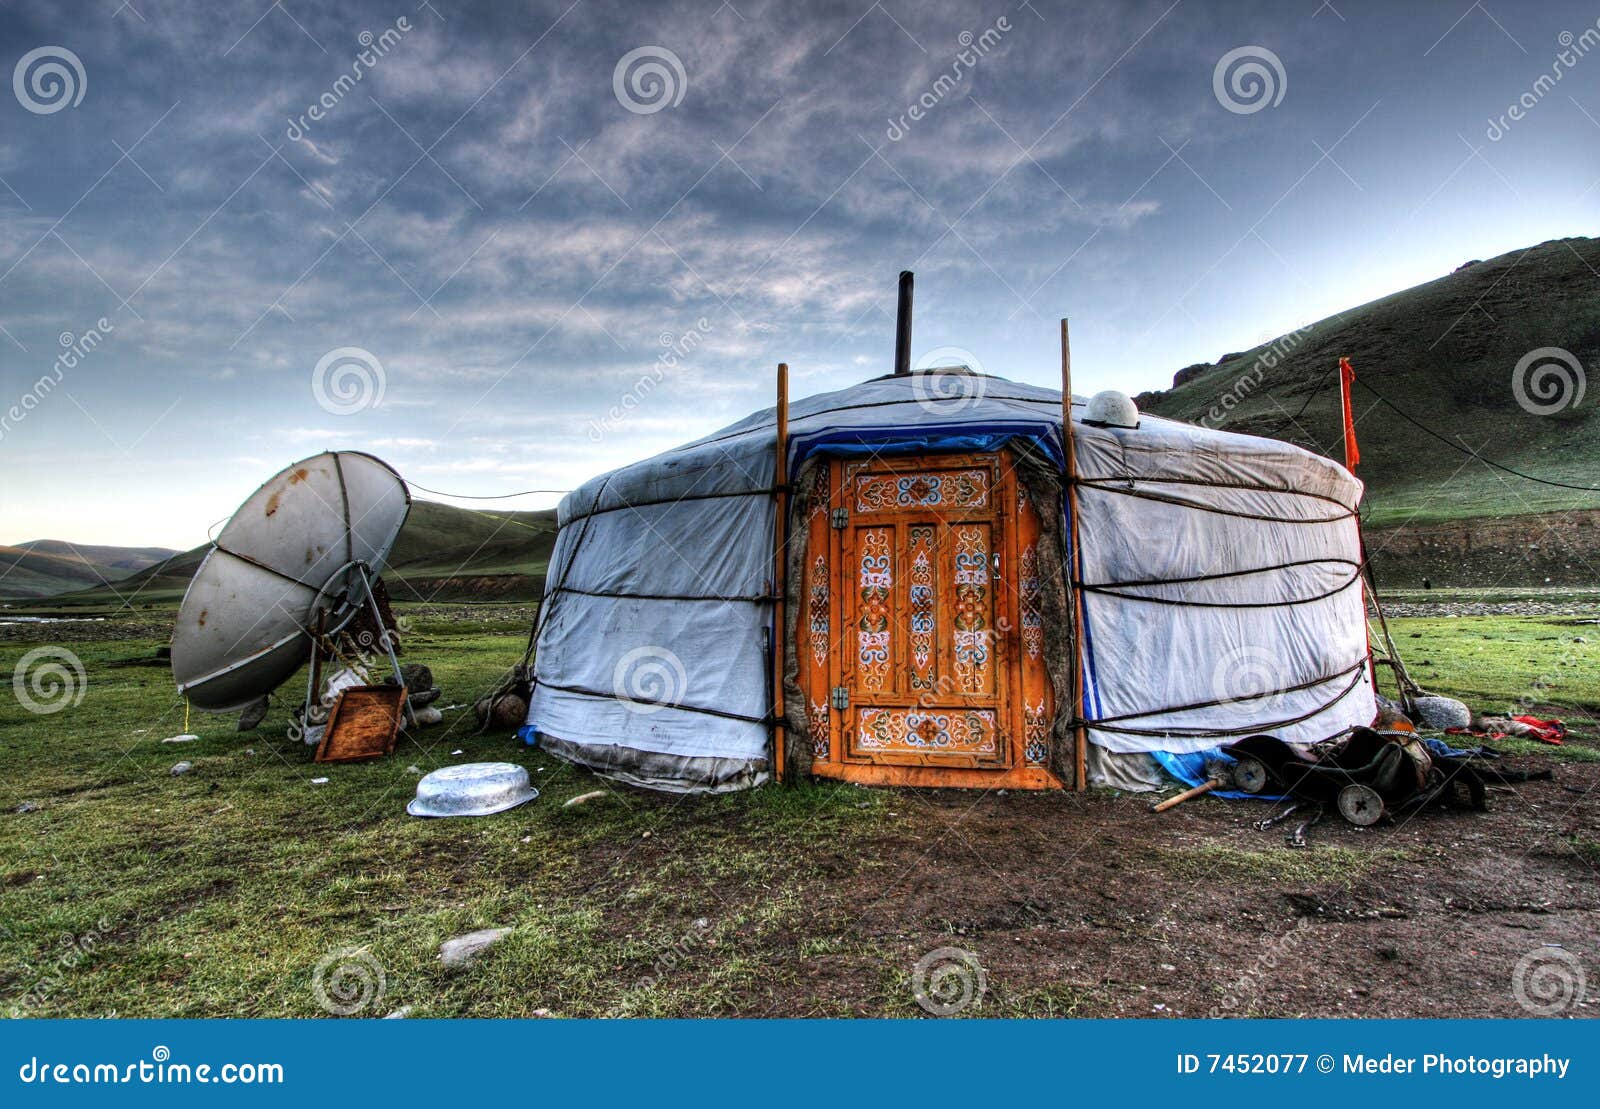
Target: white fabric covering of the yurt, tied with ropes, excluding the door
1218,572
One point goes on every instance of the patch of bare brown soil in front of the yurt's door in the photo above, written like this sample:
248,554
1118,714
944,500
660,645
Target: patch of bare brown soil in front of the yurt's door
1089,905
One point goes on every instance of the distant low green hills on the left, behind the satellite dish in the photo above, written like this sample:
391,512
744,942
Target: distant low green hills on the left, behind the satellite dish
442,554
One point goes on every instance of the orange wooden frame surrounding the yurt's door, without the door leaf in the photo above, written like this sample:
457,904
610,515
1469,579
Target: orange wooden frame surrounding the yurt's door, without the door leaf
1006,644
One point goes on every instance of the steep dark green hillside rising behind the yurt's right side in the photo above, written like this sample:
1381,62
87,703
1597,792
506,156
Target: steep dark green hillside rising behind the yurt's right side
1444,353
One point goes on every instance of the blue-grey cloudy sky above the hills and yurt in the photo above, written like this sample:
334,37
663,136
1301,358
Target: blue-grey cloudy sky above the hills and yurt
502,215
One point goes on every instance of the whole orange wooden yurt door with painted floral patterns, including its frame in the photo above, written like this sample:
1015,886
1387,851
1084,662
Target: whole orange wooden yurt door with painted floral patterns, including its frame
921,646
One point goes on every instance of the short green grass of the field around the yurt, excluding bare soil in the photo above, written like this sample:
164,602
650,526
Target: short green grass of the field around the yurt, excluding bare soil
222,892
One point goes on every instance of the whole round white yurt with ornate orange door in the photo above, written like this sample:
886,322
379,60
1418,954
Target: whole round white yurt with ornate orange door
922,582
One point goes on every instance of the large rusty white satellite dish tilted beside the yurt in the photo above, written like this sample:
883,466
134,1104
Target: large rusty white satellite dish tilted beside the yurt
302,546
